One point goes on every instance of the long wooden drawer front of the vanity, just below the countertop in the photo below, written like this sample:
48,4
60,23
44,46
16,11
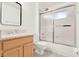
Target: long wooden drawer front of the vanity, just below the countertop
16,42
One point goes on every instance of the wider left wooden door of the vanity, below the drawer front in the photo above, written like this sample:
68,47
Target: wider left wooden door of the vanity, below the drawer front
16,52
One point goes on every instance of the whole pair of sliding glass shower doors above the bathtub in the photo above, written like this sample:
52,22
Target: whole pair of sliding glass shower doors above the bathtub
59,26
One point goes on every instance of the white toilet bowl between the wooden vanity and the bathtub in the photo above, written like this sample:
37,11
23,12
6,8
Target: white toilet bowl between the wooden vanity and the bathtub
40,47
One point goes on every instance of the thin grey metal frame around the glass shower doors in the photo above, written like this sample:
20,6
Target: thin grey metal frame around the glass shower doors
53,25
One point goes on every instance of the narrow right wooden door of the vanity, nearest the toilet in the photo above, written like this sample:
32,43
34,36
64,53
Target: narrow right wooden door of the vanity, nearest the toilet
28,50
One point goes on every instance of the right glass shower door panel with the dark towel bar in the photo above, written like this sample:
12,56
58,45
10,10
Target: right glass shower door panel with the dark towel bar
64,26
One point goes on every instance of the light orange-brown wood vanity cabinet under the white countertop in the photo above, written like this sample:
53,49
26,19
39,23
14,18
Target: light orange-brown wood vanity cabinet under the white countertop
17,47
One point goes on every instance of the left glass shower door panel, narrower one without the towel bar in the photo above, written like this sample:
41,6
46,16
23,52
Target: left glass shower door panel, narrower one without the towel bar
46,27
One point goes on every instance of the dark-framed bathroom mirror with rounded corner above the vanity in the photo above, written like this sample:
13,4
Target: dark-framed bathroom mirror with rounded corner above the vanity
11,13
